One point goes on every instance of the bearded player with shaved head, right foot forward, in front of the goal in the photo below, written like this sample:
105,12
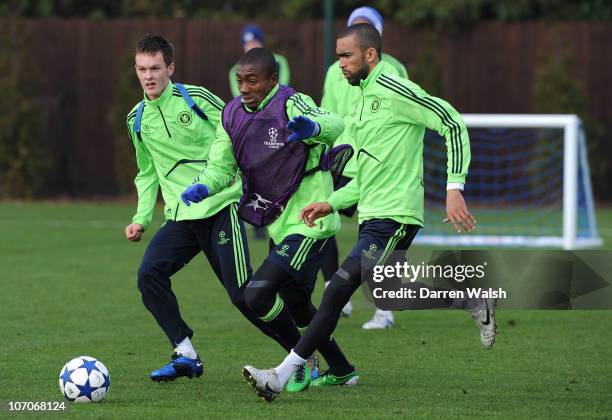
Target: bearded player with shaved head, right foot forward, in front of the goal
388,126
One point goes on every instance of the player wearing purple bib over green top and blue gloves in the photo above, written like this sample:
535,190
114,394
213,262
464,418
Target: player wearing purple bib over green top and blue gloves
276,137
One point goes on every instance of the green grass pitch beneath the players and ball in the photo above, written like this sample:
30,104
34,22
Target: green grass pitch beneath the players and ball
69,289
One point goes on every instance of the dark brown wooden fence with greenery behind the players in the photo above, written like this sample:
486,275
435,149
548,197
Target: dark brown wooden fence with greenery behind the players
68,77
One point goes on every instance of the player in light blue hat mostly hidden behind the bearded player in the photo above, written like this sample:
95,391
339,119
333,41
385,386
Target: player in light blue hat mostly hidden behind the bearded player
338,96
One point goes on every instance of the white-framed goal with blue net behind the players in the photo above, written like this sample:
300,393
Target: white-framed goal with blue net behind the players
528,184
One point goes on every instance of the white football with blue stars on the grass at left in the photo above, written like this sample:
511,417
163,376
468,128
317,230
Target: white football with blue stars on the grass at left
84,379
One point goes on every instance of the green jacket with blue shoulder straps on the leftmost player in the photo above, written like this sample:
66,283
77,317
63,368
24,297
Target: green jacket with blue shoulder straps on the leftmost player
172,150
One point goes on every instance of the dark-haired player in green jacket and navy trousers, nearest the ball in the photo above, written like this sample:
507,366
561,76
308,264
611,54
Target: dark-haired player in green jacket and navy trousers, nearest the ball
172,137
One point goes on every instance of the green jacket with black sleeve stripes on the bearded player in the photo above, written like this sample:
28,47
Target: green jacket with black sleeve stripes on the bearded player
388,125
